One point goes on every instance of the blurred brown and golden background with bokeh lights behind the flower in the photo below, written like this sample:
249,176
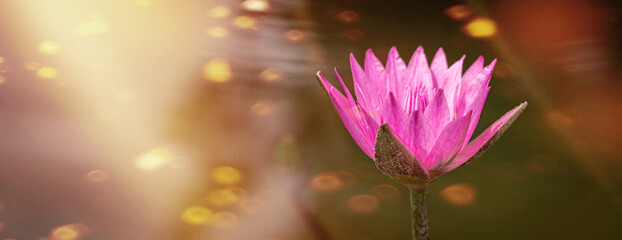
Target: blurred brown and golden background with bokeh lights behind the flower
164,119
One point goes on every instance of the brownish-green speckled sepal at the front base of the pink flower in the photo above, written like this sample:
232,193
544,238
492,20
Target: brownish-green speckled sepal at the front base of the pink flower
395,159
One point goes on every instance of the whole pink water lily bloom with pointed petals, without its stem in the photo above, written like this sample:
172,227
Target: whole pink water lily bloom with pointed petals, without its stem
416,120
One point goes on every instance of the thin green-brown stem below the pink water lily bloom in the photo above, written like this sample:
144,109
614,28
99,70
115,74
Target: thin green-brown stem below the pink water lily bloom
419,212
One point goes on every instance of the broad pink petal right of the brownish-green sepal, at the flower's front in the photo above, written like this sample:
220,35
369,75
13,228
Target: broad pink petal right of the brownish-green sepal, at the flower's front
449,143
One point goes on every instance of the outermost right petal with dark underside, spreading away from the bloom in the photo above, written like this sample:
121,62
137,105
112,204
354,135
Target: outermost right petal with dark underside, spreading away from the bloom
484,141
